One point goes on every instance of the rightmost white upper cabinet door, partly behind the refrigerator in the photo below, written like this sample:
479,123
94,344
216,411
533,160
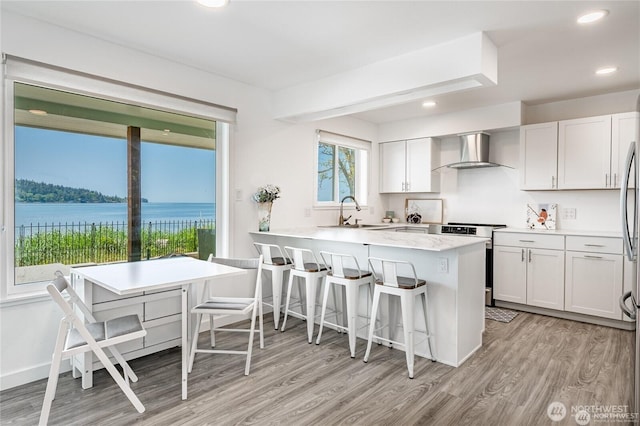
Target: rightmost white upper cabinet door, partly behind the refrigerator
624,130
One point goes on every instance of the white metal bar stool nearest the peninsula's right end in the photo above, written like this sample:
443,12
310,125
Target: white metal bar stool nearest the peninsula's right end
407,288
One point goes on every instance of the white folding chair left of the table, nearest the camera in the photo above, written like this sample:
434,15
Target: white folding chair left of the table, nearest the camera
76,337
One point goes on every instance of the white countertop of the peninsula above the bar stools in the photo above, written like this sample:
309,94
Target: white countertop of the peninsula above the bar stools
386,237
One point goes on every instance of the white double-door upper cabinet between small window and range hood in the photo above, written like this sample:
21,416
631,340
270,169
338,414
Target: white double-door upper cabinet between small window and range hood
406,166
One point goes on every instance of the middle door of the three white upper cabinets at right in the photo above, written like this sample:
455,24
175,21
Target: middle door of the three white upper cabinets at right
584,153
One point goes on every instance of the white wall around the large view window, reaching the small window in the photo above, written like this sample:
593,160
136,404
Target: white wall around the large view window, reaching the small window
263,151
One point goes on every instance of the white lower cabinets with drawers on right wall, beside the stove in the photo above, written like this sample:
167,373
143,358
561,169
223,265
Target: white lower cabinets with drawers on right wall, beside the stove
585,275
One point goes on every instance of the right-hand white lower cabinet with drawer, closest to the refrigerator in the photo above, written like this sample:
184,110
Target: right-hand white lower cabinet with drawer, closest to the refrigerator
594,276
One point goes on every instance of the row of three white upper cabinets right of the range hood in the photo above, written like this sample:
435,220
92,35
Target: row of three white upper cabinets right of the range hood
585,153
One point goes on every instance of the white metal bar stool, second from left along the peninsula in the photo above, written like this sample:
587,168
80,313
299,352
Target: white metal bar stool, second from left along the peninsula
306,267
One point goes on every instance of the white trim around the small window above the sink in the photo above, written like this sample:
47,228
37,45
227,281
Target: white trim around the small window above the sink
323,136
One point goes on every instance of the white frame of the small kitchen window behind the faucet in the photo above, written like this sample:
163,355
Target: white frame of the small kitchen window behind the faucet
363,169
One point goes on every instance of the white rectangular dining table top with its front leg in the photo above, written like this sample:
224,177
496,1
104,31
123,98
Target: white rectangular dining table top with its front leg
134,277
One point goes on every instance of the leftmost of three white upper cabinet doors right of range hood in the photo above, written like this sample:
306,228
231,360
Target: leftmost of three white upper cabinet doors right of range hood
539,156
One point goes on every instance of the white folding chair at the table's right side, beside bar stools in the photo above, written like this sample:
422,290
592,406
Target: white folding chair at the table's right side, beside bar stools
240,306
